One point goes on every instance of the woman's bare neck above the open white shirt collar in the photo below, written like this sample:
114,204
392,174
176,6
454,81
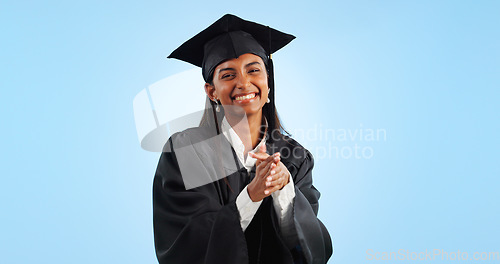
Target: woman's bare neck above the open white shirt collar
249,132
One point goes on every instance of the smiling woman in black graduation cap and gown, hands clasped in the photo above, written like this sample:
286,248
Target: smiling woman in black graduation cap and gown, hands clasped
236,190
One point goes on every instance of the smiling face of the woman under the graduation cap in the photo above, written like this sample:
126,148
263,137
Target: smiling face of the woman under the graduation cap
240,82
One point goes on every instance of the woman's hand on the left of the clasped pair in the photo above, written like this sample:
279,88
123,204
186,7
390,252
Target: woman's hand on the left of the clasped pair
257,188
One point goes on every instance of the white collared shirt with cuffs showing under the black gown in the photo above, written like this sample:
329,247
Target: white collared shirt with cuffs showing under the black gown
282,199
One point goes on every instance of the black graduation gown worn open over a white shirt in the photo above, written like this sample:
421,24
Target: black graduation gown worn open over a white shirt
202,225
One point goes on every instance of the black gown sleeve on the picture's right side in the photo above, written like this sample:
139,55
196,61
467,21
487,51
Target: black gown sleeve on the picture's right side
314,240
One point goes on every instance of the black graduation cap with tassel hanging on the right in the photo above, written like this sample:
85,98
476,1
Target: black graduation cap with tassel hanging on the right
228,38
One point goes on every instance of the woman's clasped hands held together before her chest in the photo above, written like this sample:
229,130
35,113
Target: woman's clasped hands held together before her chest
270,174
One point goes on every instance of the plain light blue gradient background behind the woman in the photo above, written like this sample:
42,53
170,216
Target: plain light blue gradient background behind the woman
76,186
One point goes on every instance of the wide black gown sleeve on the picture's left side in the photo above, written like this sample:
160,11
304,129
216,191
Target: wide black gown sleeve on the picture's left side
193,226
